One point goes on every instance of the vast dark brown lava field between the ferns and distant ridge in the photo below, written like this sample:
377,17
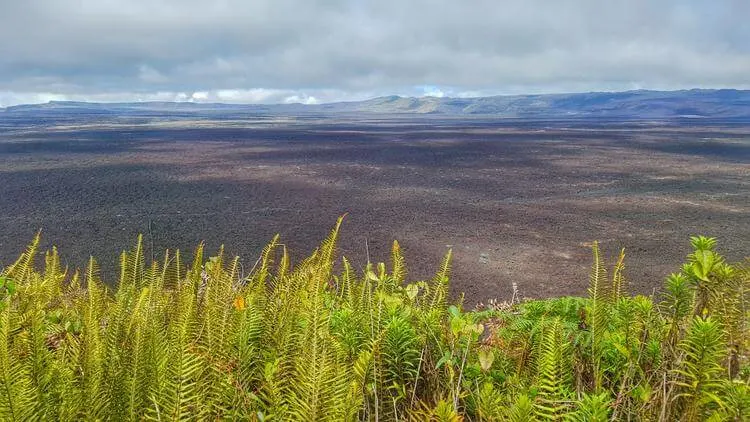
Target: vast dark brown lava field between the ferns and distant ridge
517,201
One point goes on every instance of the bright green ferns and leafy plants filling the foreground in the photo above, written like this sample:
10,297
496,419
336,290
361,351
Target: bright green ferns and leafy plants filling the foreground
313,342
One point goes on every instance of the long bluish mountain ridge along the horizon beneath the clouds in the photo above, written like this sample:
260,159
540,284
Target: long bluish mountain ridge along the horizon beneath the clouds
642,104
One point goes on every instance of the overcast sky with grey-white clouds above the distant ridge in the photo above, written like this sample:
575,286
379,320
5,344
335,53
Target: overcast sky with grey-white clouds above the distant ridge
313,51
